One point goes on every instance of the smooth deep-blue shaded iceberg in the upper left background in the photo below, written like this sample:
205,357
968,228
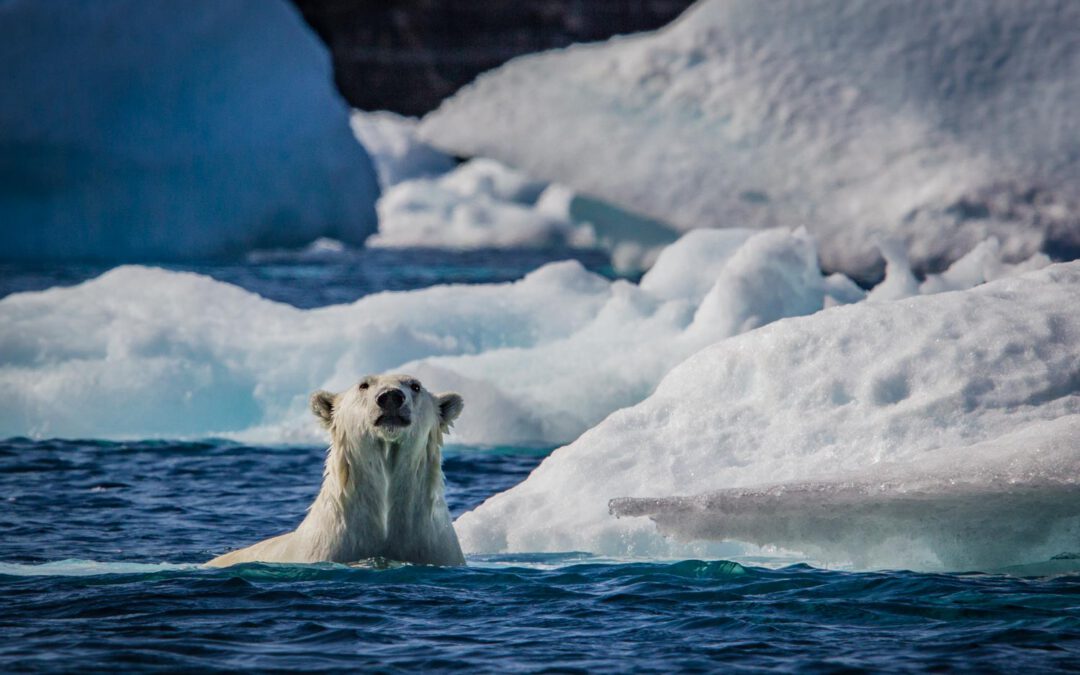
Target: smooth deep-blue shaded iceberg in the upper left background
138,130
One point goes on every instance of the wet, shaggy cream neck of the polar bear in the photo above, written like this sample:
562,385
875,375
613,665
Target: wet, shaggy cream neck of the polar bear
376,493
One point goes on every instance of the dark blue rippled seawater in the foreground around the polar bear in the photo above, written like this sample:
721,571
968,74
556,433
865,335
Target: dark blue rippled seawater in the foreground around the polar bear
99,571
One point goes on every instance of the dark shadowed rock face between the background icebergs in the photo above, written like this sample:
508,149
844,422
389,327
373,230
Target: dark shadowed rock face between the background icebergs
408,56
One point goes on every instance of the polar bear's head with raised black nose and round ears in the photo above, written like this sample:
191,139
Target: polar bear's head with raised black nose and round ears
395,409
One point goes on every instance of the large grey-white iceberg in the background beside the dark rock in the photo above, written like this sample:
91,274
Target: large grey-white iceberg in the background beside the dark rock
939,125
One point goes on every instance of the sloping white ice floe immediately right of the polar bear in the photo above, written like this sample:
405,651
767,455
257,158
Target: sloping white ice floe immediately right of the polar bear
852,435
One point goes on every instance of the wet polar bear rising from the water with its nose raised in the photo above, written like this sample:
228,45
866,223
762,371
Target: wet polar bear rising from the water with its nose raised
383,487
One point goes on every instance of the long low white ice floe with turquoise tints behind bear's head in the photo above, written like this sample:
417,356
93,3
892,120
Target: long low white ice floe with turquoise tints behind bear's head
145,353
